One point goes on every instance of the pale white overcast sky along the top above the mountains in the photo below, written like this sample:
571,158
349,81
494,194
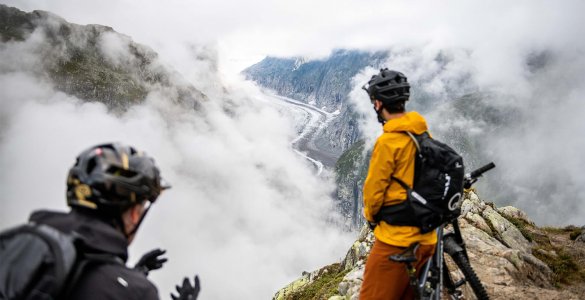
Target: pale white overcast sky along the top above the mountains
245,31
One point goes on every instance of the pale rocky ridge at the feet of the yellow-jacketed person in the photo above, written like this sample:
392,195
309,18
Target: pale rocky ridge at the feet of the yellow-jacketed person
514,259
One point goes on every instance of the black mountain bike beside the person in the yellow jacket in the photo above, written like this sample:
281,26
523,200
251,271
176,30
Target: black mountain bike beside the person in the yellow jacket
436,274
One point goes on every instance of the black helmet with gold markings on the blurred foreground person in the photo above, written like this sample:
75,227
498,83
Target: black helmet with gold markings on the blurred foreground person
111,177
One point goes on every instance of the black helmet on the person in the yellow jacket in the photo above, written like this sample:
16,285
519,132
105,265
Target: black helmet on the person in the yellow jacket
388,86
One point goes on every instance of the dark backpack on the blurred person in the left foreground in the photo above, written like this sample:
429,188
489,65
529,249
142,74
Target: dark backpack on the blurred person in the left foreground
41,262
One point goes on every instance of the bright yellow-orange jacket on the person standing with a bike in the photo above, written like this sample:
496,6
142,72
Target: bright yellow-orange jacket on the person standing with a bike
394,154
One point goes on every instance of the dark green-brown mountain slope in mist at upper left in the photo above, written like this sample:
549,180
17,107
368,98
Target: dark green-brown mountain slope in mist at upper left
91,62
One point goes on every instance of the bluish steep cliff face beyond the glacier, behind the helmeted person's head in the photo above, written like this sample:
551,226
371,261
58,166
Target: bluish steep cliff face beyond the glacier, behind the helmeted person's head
323,83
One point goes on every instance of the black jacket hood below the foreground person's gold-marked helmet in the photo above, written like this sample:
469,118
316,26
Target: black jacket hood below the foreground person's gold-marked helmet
97,234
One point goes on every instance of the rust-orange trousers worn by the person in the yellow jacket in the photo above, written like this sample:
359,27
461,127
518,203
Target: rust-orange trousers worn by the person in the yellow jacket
388,280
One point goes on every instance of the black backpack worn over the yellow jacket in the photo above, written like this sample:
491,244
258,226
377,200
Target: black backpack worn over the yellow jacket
436,196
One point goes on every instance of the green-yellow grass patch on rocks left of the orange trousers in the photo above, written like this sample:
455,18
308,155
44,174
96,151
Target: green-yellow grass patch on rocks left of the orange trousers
324,286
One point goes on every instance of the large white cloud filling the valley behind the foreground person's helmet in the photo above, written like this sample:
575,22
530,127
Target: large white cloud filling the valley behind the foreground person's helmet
245,212
